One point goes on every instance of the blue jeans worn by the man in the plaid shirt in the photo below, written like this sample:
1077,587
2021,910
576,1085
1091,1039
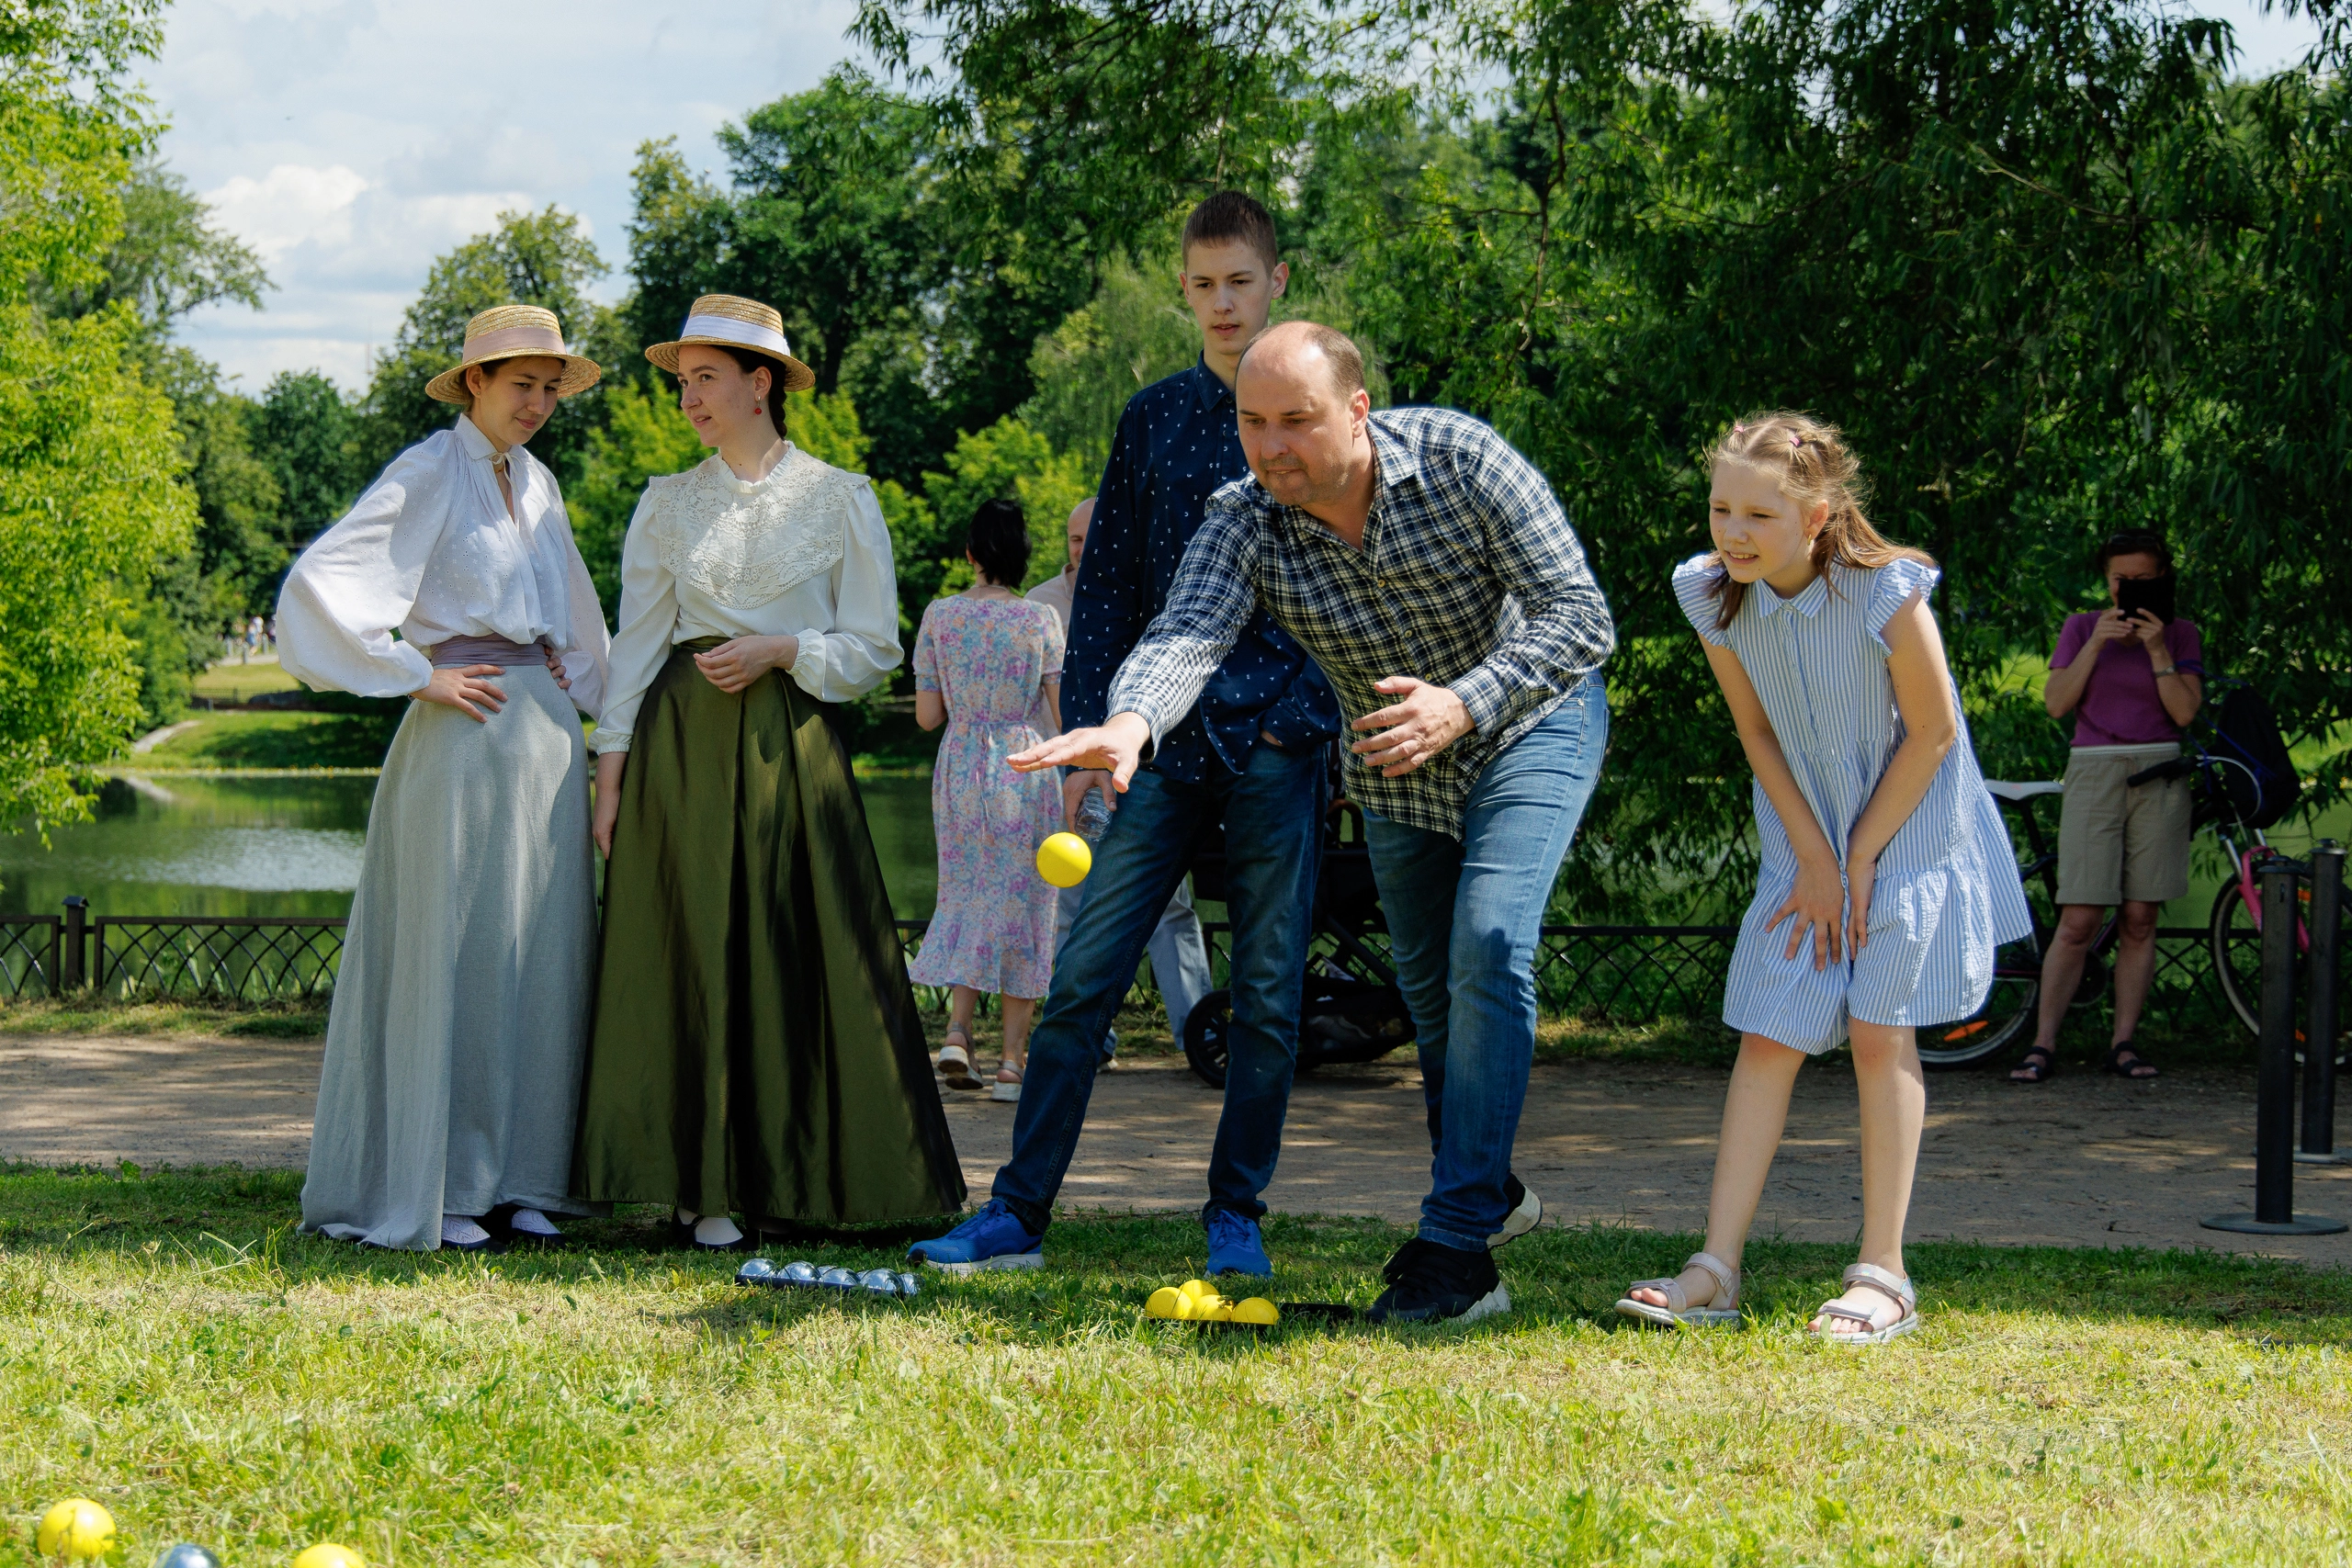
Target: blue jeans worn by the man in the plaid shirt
1464,920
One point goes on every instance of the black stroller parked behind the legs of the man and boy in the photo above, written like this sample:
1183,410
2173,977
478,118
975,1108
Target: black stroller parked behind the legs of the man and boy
1354,1010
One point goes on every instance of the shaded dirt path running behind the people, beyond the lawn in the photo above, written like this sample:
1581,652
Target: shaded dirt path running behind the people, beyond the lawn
2078,1162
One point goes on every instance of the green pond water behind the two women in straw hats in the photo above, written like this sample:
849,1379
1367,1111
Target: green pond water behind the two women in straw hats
171,845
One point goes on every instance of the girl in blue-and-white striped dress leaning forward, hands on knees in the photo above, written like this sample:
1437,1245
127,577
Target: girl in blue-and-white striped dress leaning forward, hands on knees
1887,876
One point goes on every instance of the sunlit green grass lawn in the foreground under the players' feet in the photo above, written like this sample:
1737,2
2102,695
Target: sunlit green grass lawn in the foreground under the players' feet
173,1351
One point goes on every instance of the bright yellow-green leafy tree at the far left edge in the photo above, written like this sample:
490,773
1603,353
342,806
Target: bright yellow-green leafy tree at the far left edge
91,495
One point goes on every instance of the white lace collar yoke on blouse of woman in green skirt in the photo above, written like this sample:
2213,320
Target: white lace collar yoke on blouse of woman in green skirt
749,542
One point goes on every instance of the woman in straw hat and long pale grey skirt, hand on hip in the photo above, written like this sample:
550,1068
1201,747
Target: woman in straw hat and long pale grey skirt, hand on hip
460,1017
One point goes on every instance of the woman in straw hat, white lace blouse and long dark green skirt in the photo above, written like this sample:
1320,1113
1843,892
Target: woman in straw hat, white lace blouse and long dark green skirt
756,1045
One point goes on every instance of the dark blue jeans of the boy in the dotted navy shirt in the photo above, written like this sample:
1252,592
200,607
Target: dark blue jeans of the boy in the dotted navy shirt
1274,826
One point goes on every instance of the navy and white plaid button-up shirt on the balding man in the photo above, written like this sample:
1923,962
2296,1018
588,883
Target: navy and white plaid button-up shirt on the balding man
1471,579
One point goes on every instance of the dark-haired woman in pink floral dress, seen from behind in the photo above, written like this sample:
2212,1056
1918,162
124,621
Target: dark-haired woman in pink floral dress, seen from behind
989,669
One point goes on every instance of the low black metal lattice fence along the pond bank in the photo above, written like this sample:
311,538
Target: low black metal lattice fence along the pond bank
1603,974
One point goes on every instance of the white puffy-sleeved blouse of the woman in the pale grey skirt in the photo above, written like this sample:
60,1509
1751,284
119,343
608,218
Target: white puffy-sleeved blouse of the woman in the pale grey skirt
429,551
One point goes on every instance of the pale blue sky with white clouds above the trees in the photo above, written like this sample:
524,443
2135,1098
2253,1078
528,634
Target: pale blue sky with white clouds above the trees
352,142
